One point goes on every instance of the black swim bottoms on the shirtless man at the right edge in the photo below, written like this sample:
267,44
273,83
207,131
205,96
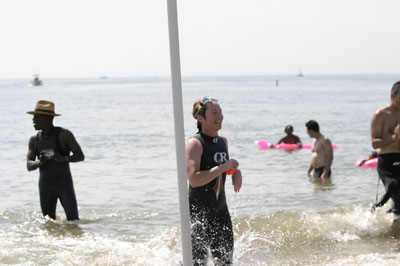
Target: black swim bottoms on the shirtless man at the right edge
389,172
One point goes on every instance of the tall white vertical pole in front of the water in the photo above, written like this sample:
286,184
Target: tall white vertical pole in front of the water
179,131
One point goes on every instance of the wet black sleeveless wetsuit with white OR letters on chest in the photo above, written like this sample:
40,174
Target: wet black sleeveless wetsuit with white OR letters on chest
211,222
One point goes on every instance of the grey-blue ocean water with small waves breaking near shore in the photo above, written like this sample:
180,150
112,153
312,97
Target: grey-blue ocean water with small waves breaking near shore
127,185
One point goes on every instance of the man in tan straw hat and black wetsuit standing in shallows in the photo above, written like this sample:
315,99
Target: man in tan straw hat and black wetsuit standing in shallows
49,150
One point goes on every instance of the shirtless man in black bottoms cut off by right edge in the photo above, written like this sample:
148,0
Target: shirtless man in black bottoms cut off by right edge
385,138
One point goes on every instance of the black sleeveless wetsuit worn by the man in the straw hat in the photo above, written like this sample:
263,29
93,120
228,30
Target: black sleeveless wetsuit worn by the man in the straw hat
55,180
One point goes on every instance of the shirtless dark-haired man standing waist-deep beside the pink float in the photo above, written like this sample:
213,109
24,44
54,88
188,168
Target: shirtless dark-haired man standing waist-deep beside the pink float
322,152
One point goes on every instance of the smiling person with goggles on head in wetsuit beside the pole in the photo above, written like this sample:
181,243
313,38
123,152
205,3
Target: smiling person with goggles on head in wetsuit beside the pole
208,162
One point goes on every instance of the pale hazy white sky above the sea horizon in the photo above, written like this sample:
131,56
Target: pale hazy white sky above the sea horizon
129,38
